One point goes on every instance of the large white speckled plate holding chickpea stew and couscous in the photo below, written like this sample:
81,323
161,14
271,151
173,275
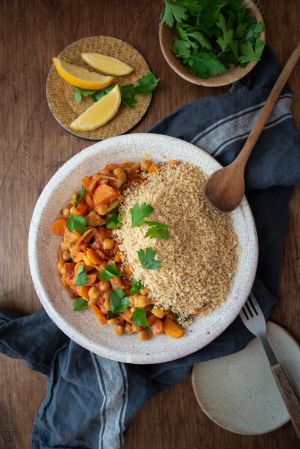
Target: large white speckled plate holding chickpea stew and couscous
82,327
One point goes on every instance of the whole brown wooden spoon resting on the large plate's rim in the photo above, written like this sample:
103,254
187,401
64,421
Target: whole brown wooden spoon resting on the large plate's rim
226,187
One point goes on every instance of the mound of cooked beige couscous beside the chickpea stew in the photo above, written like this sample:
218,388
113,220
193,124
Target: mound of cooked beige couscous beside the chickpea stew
199,260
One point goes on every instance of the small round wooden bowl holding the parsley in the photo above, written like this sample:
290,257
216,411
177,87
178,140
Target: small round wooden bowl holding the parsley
166,35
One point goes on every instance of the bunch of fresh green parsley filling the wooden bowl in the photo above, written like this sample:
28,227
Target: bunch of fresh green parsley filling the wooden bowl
213,35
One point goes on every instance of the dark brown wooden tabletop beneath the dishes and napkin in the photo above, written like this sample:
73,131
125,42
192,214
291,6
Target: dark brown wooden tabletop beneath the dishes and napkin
33,146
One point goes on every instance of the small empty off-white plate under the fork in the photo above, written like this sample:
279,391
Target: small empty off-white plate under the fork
239,393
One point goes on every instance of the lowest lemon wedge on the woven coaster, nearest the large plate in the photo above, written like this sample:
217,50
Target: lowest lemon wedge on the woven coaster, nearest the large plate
99,113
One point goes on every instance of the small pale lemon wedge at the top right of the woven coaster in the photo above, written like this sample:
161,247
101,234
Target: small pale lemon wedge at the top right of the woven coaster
106,64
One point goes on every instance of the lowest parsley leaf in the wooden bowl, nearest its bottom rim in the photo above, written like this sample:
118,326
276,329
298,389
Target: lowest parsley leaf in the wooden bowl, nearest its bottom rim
205,64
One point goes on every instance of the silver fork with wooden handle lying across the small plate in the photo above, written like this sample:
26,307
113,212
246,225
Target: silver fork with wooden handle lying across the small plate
255,322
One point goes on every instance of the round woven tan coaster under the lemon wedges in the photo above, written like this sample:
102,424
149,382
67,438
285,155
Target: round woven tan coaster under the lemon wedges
60,95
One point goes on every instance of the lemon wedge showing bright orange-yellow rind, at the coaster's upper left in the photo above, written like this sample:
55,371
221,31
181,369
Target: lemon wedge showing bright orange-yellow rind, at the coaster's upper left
81,77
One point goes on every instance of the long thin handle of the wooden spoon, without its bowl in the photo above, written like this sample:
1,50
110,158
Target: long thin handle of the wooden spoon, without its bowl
268,107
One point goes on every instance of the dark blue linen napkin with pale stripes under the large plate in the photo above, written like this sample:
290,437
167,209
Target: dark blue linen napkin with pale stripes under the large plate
91,400
